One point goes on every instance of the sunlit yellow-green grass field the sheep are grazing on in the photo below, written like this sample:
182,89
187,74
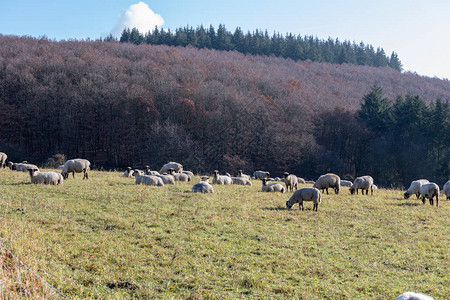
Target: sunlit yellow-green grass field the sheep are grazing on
107,238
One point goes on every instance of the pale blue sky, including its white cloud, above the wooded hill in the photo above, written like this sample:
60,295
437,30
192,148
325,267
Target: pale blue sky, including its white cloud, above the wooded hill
418,31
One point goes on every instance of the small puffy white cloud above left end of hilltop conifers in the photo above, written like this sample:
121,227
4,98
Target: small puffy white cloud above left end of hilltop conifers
138,16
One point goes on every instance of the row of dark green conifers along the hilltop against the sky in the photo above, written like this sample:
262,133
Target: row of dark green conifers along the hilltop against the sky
260,42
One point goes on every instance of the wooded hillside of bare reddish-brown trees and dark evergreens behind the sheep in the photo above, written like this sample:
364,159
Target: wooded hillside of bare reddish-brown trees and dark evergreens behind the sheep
120,104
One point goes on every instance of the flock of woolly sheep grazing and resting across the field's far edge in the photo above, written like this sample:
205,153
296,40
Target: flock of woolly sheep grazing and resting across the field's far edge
173,171
